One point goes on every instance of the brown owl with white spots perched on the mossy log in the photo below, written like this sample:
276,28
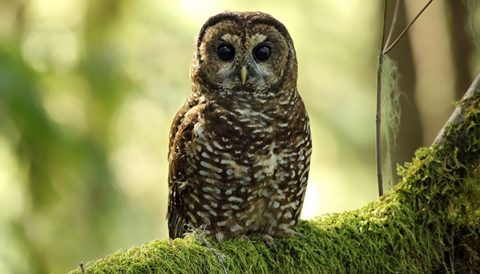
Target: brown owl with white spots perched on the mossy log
239,149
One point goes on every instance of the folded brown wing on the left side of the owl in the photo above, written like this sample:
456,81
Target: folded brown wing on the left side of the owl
181,135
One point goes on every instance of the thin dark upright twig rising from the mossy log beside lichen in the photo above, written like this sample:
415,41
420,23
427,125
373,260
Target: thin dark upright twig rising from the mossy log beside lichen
378,120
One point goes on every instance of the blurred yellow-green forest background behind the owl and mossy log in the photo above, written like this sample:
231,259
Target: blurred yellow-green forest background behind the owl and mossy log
88,89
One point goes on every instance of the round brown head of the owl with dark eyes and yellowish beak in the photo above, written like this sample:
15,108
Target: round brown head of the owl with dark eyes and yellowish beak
244,51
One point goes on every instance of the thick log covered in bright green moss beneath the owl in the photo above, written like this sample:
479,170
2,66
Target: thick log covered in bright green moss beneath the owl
430,222
